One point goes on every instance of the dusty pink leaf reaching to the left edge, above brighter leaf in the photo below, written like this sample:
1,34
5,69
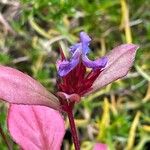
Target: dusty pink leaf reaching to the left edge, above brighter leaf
19,88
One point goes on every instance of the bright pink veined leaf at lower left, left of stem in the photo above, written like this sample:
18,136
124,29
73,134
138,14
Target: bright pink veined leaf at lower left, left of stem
36,127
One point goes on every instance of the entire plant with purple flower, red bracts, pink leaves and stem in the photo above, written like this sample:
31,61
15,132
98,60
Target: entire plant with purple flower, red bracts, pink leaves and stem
29,124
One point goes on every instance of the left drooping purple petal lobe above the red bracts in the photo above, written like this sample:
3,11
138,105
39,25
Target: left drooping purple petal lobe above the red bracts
66,66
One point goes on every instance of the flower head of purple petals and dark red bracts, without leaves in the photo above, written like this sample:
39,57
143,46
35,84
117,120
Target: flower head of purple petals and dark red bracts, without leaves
73,76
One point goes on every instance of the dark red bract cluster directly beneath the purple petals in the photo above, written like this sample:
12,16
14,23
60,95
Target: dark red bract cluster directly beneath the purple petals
78,80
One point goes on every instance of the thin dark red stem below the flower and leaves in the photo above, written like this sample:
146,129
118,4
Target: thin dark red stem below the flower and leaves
73,130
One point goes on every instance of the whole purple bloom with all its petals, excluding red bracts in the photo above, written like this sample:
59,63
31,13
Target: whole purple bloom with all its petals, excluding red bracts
79,53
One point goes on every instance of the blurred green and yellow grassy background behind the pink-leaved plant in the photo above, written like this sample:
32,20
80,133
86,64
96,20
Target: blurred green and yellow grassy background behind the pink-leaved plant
31,33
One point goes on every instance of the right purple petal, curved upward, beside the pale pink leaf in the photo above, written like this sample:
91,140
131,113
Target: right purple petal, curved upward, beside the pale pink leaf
97,64
